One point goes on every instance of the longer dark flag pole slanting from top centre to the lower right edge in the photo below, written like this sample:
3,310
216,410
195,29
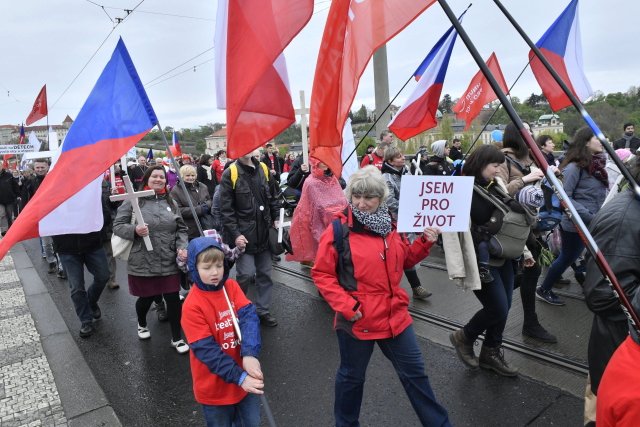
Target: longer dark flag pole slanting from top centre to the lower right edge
570,210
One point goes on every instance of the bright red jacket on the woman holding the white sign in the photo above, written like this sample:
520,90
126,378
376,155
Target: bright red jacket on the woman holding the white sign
371,274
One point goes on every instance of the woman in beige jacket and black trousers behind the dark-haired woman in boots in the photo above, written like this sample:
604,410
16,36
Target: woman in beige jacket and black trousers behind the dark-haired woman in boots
516,172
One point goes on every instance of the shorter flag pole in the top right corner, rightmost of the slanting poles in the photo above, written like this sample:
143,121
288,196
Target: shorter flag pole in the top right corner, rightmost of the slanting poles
574,100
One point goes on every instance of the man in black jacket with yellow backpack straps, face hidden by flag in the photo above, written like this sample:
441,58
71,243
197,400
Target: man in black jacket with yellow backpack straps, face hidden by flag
249,208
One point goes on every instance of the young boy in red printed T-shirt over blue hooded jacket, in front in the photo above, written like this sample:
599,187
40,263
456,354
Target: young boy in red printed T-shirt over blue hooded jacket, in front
227,377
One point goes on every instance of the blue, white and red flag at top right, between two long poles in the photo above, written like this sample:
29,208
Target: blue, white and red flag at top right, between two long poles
561,46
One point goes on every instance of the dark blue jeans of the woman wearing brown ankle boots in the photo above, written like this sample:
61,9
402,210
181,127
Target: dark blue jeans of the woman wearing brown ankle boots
496,302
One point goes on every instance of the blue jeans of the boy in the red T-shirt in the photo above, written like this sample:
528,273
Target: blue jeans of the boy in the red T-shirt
245,413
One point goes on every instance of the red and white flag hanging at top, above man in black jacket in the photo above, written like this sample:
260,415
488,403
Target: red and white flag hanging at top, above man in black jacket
250,38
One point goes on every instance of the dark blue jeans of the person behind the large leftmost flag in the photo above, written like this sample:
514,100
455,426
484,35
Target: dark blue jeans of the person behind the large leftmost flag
83,299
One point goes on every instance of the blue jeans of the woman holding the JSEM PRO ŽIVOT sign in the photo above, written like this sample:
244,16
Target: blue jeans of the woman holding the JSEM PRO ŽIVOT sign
405,355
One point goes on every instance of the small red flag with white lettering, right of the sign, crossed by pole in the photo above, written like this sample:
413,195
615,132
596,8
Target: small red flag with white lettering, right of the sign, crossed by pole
479,93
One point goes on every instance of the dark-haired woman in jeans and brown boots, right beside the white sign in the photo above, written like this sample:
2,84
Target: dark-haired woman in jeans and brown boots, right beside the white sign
483,164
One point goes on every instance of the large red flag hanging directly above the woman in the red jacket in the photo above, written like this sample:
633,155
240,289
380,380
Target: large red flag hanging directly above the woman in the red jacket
354,30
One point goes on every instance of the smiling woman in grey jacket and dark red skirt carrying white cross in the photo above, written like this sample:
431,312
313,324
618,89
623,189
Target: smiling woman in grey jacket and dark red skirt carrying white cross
156,272
